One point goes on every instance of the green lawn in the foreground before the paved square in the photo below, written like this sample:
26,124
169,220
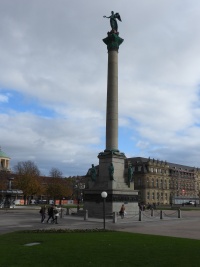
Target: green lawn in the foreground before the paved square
97,249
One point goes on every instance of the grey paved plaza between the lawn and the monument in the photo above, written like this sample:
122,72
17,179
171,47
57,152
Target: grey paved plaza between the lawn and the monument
188,226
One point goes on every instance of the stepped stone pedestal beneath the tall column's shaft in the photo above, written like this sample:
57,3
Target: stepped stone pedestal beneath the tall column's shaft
118,190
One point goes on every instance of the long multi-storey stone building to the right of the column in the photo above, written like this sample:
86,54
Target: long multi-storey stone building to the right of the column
161,182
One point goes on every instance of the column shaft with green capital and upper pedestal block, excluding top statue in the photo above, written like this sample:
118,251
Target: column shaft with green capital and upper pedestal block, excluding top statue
112,158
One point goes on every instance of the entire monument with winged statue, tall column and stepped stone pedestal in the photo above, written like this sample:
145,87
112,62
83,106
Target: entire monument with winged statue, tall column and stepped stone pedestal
111,174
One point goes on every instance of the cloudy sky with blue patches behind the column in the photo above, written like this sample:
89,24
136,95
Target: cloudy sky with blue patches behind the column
53,81
